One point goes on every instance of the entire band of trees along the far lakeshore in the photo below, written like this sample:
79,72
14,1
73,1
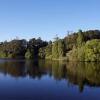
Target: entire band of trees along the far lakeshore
77,46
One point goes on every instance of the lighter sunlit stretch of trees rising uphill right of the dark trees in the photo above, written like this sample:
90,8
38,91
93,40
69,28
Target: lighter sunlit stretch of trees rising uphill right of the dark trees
78,46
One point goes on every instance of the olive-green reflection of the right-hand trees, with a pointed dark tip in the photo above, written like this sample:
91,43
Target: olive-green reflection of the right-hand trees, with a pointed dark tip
83,74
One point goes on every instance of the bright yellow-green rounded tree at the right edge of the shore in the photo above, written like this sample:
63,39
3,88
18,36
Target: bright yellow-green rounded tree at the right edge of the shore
92,50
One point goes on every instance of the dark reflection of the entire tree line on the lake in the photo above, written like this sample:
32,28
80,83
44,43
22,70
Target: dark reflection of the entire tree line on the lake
80,74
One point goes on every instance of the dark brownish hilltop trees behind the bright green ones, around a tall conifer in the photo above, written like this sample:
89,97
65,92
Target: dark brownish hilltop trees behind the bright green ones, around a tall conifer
71,40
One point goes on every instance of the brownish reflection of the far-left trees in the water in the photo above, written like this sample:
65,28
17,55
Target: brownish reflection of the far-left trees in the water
14,69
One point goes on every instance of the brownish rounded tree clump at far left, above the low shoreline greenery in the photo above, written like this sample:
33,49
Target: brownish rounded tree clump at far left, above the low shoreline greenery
14,48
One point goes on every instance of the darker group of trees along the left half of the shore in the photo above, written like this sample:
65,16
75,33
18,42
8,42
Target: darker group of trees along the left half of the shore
21,48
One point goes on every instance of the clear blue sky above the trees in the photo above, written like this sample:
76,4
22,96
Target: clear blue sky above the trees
46,18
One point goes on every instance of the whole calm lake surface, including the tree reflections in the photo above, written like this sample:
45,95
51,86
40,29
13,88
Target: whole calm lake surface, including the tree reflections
46,80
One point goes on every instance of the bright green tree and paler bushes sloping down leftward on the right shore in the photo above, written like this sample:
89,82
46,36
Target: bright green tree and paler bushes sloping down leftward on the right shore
88,52
